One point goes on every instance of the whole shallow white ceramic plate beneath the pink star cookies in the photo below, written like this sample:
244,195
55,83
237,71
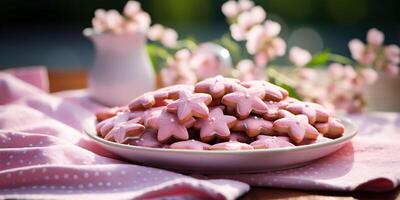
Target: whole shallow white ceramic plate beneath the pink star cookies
224,162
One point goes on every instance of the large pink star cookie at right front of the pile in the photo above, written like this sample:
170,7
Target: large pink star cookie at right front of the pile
297,127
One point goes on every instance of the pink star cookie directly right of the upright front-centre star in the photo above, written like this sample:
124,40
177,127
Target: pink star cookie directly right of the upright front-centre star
254,126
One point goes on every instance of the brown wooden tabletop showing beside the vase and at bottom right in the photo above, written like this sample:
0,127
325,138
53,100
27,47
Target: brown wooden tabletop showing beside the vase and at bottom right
67,80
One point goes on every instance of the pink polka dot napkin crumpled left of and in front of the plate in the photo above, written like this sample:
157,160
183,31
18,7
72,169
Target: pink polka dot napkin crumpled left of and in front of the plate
44,155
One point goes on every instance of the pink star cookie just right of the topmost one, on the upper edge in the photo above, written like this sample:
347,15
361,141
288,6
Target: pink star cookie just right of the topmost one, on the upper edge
272,92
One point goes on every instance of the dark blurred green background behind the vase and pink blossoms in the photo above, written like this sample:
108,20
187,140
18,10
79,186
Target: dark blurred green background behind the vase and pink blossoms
48,32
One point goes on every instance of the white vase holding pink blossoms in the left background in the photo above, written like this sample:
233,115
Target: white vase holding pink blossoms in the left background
121,70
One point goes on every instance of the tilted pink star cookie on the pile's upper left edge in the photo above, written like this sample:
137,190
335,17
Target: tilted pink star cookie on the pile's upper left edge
148,100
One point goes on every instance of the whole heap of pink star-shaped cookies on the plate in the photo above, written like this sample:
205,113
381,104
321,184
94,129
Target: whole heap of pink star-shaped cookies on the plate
218,114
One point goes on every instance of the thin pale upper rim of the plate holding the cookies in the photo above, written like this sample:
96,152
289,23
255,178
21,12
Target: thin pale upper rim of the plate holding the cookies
88,129
